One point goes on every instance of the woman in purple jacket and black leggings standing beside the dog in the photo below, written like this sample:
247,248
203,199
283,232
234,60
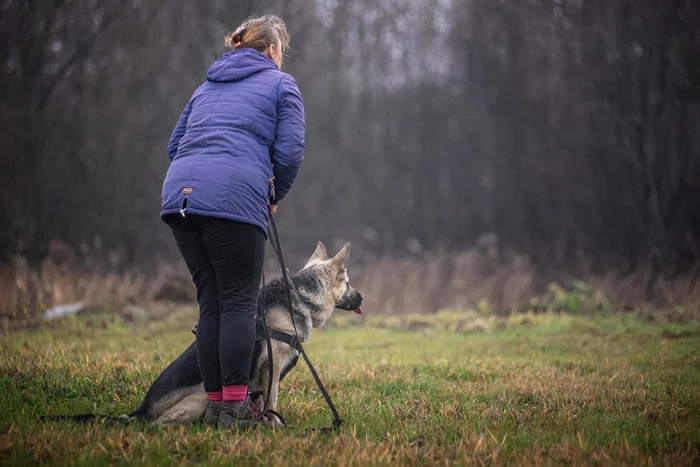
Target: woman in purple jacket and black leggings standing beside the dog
235,153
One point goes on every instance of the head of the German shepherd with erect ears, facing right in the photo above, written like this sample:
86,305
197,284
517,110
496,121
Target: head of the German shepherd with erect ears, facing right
334,272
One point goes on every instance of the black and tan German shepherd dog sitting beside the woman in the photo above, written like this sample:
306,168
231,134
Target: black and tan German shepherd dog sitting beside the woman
177,395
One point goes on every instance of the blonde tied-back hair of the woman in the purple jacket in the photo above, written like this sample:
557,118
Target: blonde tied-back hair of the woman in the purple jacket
258,33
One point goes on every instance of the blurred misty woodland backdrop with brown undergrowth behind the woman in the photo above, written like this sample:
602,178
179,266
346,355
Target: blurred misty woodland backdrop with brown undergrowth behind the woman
471,143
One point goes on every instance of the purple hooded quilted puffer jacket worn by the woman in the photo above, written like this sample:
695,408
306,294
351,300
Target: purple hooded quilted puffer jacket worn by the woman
241,127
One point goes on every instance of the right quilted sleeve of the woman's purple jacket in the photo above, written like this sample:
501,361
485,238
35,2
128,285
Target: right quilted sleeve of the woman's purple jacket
288,149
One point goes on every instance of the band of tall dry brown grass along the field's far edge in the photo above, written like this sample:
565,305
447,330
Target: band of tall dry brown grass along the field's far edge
482,278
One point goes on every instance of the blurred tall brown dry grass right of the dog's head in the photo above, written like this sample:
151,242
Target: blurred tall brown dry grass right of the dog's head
483,279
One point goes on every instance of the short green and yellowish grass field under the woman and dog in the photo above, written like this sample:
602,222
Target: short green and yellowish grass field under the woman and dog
452,388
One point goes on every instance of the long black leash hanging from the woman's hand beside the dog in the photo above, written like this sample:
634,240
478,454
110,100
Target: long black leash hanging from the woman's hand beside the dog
276,245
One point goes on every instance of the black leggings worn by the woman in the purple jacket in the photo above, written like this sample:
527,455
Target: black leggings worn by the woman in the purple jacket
225,259
